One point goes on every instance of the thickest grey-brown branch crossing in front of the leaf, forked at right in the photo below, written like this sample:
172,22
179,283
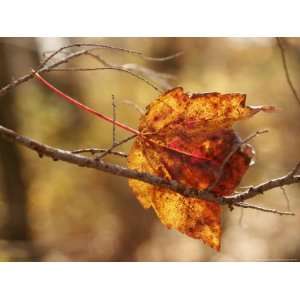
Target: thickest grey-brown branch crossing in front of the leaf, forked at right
68,156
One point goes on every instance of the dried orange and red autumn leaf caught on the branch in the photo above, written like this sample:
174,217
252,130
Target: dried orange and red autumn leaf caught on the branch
187,138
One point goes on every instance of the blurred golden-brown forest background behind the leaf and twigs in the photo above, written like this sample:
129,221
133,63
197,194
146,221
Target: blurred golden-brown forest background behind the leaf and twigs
53,211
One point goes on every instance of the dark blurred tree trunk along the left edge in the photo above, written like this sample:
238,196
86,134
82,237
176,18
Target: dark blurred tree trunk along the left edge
16,227
